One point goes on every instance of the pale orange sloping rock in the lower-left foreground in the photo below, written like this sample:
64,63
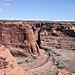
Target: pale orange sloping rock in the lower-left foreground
8,65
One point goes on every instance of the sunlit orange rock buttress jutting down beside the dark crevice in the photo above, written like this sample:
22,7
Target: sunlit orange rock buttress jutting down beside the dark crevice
30,37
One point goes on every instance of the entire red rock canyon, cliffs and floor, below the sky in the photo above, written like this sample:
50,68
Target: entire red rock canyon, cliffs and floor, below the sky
39,47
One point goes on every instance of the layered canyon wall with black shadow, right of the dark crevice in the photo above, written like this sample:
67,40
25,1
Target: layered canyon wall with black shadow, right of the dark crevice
56,34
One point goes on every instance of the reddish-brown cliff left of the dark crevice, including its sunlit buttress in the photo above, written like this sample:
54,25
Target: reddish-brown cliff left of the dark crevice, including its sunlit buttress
18,34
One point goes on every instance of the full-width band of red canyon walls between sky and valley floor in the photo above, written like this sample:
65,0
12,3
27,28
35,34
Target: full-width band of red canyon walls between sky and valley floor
43,33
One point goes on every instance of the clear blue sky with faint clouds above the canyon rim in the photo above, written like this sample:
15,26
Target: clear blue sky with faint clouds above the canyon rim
51,10
